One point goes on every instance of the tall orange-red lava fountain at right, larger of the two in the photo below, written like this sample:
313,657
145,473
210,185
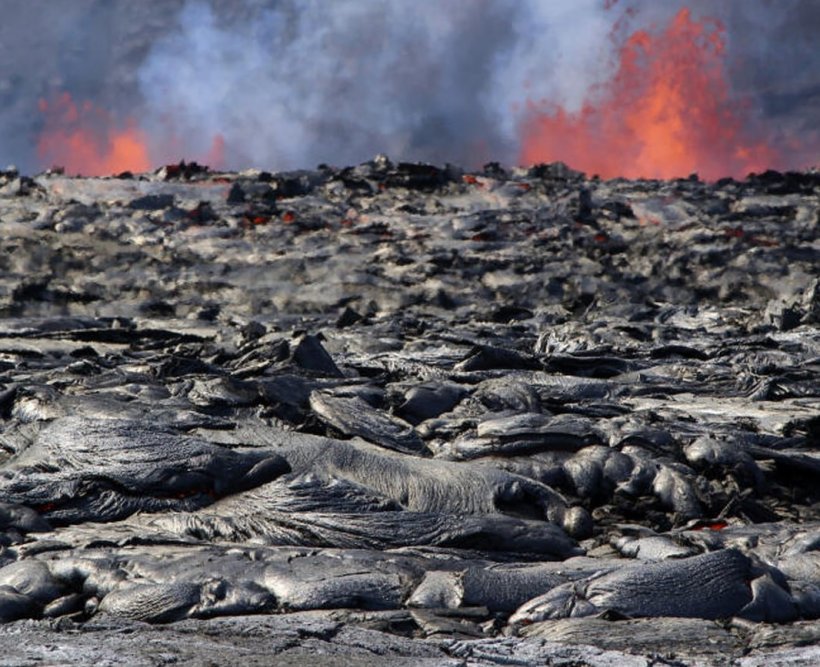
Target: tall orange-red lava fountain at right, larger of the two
666,113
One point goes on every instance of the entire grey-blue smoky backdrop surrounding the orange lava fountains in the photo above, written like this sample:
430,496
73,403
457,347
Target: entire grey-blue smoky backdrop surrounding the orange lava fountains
292,83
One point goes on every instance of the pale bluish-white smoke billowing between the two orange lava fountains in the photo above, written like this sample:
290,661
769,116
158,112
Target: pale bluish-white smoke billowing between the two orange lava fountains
312,81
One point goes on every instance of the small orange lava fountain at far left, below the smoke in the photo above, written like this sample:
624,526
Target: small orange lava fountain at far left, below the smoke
84,140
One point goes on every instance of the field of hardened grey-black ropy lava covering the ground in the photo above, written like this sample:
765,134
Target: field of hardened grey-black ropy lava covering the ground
401,414
